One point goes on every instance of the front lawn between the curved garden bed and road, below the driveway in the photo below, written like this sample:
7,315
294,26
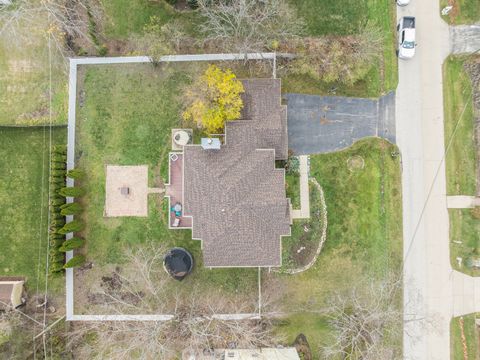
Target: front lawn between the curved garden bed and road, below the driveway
364,238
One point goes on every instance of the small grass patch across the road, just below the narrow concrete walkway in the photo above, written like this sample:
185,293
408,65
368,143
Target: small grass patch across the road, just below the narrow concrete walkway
464,228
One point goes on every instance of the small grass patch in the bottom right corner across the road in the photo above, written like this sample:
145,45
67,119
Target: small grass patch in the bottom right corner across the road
471,338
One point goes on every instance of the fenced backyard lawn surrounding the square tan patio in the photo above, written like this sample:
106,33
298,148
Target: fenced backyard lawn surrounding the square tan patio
126,120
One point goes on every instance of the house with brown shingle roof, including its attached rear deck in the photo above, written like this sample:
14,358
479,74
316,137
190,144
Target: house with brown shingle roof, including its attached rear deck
230,193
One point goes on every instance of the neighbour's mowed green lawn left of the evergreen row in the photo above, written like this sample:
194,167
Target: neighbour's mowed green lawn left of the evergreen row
24,206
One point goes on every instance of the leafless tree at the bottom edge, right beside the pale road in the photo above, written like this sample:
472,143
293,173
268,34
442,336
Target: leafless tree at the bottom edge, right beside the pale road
366,321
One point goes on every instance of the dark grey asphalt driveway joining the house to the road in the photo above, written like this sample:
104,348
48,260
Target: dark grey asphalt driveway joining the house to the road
319,124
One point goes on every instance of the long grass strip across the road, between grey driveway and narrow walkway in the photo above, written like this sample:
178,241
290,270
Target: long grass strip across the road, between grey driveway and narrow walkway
461,157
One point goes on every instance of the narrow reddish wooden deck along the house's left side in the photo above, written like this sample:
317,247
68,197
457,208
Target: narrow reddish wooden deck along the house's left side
174,190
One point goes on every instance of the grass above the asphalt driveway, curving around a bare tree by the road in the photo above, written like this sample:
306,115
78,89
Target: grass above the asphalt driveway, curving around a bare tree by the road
343,17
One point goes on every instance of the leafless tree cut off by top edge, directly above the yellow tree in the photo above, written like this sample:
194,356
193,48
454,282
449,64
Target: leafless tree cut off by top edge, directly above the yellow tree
249,25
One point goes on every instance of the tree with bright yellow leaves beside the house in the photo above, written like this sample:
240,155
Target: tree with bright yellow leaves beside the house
213,99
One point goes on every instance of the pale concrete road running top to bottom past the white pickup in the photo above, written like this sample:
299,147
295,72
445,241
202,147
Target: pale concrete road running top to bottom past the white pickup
433,292
